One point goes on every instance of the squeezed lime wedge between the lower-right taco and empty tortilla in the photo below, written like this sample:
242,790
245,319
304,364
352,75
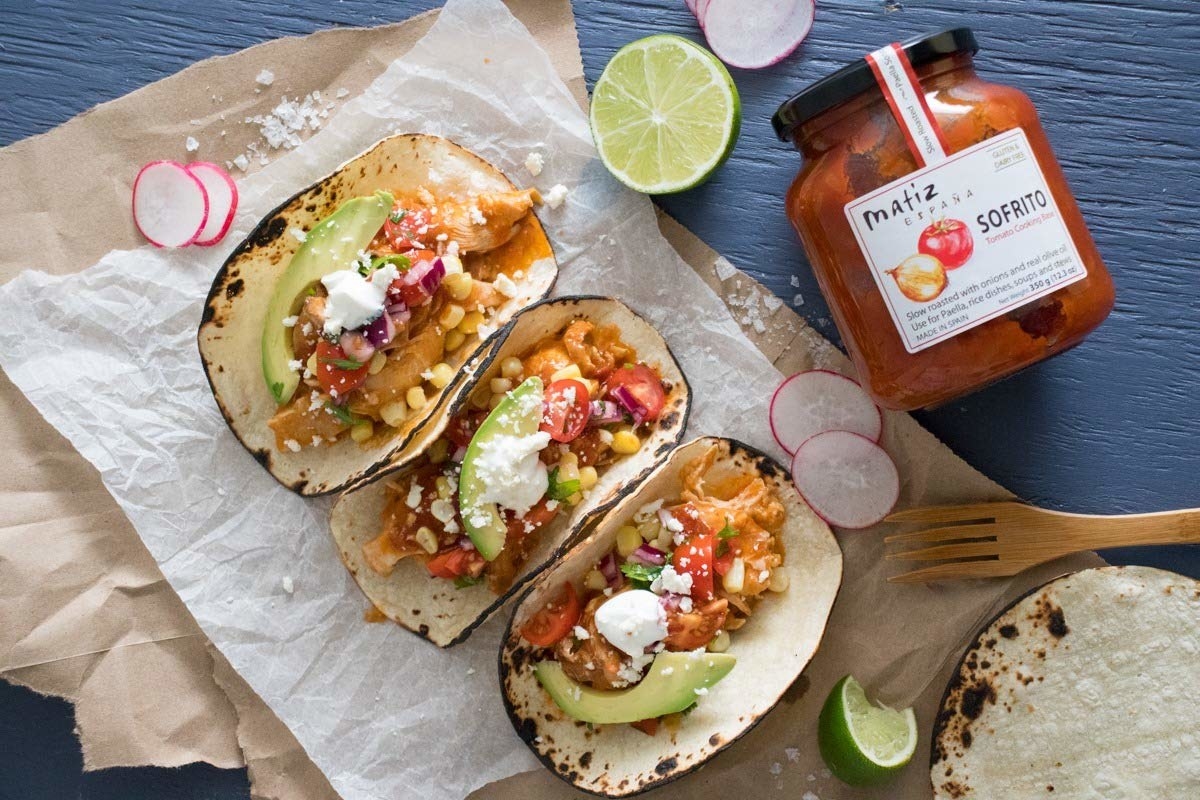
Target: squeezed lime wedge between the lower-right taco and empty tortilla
865,744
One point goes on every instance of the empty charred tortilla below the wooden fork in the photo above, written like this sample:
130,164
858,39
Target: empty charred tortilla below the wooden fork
1088,688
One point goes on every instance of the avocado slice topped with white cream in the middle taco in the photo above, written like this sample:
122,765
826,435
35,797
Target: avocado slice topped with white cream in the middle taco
518,416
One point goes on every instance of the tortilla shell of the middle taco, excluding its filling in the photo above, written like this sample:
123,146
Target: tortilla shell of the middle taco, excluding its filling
434,607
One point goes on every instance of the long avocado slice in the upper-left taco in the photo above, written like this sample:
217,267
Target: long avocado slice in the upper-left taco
332,245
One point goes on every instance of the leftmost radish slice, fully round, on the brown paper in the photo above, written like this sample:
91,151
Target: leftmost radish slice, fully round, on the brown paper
170,204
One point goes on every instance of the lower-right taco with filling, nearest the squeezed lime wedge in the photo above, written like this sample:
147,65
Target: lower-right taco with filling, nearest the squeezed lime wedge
675,627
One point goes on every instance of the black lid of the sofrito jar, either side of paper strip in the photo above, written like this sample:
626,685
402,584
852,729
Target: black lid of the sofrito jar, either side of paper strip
856,79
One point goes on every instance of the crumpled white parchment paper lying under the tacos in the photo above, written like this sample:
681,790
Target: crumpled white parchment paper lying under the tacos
109,357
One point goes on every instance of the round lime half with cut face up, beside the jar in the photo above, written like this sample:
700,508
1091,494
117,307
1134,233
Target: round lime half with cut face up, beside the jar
665,115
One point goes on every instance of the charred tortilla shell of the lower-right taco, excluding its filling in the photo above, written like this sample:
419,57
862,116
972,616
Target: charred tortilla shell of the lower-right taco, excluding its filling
772,649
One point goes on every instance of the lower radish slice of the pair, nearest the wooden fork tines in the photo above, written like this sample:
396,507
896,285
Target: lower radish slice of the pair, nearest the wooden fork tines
848,479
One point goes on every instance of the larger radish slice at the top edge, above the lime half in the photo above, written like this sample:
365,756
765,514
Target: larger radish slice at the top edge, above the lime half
759,38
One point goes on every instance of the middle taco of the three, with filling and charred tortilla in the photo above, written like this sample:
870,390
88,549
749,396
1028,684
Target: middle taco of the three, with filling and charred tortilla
577,401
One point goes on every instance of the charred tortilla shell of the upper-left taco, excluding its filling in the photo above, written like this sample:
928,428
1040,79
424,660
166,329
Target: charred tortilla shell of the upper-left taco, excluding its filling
235,315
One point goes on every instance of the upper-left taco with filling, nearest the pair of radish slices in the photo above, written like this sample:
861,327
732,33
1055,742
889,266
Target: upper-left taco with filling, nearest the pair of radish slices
337,332
